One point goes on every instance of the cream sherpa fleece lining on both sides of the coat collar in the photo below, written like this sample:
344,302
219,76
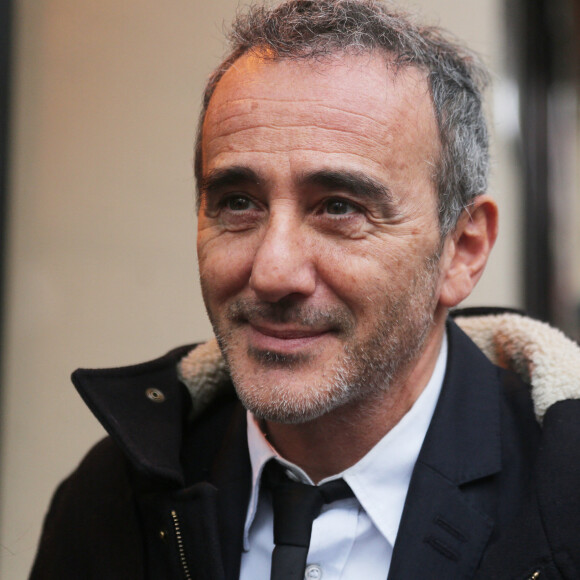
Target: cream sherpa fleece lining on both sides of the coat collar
542,355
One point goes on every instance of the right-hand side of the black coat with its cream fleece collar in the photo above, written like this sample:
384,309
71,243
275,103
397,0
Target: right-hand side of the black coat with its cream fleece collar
540,378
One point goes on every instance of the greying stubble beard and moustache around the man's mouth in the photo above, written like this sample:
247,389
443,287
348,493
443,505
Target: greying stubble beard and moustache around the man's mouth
367,370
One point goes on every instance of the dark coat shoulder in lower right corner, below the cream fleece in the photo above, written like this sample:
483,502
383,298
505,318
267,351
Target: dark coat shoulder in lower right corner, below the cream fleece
544,538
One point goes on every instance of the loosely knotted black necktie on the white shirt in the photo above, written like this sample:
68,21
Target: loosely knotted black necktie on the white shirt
296,505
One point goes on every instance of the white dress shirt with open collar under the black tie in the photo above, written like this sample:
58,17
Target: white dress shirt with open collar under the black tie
352,538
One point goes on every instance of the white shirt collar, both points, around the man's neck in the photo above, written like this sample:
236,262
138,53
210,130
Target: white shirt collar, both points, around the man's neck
380,479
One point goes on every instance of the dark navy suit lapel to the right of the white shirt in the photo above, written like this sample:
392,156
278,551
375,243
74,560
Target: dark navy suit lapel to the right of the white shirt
444,530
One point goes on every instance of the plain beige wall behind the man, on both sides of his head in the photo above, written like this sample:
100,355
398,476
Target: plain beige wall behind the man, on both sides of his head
101,255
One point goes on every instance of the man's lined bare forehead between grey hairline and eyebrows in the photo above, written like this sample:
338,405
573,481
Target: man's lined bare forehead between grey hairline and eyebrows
349,108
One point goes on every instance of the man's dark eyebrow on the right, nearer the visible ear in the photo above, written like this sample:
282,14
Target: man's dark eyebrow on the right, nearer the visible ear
357,183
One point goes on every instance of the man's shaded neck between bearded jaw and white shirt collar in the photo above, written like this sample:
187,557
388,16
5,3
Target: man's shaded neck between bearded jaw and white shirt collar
332,443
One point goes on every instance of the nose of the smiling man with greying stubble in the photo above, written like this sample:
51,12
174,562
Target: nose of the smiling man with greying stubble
282,263
